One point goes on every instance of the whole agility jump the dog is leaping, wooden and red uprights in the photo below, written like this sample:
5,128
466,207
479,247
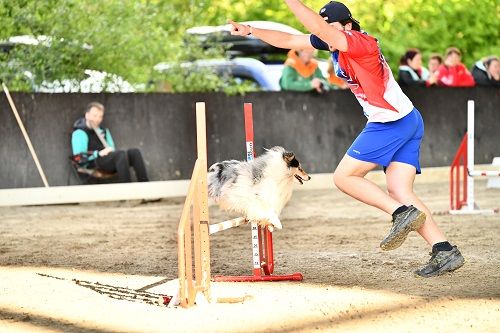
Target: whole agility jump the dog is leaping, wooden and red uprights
194,228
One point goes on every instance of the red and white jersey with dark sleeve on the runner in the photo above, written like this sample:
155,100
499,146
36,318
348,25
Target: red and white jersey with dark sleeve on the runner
369,77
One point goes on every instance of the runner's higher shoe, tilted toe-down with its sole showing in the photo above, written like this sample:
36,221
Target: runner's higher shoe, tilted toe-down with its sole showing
409,220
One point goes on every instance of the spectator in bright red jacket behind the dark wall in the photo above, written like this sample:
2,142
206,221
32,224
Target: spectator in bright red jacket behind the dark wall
453,73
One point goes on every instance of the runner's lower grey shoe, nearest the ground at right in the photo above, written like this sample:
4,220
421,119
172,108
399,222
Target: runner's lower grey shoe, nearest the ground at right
442,262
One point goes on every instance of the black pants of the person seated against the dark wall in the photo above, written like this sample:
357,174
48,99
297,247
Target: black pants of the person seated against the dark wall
120,162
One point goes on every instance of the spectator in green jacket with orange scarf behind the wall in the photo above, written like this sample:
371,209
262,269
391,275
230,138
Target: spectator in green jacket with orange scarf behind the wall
301,72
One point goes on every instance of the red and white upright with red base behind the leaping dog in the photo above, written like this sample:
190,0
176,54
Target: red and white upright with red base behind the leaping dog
262,238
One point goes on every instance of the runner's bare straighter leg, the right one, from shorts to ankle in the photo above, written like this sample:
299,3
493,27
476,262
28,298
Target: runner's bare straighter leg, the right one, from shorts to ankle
400,178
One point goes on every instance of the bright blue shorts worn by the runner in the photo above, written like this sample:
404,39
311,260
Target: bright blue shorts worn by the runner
395,141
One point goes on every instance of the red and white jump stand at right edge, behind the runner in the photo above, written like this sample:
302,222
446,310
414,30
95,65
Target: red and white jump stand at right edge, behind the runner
462,173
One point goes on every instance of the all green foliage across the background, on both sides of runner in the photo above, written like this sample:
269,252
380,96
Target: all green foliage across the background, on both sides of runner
130,37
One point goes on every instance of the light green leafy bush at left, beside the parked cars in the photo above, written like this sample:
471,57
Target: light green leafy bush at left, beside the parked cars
127,38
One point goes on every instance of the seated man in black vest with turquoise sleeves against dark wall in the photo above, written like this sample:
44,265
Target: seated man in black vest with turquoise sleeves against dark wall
93,147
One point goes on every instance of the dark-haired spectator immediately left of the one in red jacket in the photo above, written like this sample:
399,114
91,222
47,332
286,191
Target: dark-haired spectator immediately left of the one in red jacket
411,71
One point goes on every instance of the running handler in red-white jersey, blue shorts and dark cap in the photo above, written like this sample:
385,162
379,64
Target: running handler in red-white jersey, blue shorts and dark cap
391,137
